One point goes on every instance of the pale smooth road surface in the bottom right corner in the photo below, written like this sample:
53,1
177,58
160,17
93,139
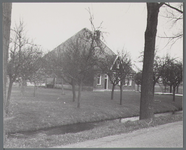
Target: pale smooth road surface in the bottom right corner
168,135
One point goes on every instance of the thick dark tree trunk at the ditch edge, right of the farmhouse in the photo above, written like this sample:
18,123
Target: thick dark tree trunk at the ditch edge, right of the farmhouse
146,100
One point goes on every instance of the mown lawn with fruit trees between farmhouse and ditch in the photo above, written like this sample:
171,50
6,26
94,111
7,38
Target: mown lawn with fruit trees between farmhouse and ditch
49,108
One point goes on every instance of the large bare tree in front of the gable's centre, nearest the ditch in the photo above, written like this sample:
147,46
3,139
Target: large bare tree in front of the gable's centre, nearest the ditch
80,56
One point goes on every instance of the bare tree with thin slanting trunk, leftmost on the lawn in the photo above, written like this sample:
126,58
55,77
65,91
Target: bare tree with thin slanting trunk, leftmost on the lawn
23,54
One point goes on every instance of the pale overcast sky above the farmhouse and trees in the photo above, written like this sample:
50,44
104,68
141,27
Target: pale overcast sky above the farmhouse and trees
124,24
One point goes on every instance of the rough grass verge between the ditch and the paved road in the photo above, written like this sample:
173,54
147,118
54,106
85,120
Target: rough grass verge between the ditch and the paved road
111,128
